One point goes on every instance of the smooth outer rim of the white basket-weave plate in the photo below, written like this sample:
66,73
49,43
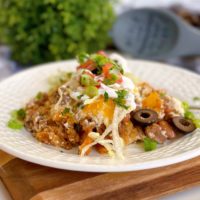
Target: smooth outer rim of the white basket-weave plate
102,168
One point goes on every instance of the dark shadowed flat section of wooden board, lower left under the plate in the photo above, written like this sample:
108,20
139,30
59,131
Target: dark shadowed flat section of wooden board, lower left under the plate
24,179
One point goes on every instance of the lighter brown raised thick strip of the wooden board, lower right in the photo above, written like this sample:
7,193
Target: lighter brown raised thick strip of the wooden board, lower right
146,184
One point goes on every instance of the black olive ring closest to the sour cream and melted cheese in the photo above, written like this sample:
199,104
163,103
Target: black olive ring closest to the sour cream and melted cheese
145,116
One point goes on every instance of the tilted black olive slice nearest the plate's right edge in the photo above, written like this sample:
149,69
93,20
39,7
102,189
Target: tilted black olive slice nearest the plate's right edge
184,125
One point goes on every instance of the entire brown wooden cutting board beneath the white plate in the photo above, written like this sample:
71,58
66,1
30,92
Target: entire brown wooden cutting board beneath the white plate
25,180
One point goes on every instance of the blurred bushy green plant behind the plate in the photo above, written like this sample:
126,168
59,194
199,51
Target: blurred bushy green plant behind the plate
47,30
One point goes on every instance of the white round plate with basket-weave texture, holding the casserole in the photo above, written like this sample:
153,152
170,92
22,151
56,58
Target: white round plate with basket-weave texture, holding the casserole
17,90
